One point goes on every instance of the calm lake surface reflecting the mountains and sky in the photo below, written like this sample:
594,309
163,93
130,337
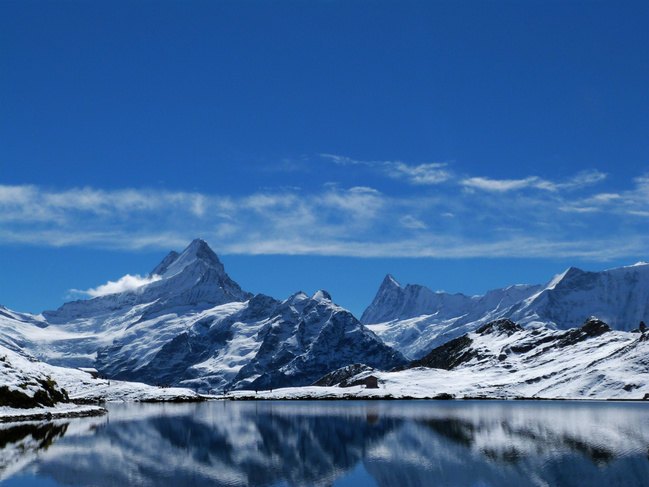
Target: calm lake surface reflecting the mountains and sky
382,443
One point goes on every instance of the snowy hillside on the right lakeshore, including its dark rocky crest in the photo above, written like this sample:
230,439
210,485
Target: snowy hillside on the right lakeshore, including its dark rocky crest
504,360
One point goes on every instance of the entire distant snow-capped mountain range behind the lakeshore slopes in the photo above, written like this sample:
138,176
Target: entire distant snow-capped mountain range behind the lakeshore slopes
193,326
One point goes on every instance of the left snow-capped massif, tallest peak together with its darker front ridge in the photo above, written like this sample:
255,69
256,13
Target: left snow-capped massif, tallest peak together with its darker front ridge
194,326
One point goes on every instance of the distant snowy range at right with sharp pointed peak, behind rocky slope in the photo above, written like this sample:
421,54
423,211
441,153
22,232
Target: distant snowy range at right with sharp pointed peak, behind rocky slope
414,319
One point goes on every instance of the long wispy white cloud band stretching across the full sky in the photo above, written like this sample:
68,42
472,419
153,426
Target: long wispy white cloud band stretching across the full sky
569,218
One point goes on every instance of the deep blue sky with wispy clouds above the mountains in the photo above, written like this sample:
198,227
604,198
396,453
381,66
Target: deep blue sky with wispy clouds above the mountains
460,145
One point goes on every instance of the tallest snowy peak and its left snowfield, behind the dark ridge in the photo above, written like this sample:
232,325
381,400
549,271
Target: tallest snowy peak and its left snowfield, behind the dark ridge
143,319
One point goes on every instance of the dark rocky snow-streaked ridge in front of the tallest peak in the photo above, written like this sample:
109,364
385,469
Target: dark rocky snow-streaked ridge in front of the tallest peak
265,343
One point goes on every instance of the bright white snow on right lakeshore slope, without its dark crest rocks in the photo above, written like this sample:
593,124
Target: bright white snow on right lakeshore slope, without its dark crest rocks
596,368
